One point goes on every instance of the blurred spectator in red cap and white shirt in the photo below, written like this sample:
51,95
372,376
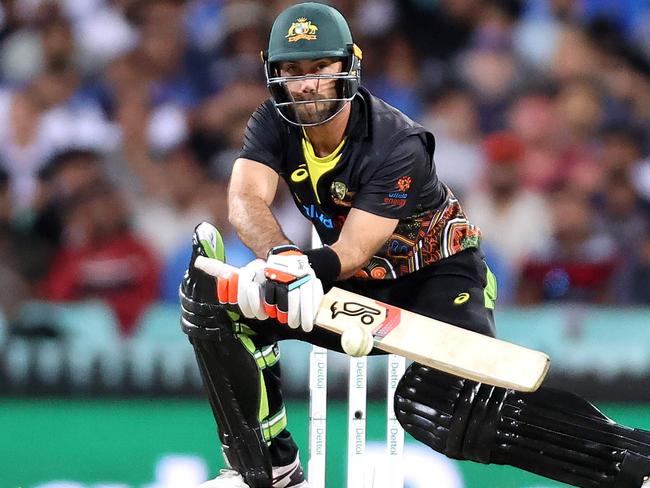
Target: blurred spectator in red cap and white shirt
514,220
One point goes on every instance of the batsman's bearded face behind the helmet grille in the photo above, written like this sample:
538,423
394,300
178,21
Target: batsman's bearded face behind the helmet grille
312,89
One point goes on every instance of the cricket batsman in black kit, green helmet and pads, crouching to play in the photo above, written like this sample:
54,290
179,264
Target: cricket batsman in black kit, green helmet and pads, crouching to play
363,173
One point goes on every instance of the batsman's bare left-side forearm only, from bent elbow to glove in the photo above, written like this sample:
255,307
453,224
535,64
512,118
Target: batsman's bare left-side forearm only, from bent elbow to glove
255,224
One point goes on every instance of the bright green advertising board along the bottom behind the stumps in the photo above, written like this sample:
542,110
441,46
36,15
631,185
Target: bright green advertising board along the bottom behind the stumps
100,441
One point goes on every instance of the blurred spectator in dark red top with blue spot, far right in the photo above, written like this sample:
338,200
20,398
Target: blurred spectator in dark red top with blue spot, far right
577,263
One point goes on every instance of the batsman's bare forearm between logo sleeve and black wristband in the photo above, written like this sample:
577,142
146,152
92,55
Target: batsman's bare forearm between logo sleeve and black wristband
361,236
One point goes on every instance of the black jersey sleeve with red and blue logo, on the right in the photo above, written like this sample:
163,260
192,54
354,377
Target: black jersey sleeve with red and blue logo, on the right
393,189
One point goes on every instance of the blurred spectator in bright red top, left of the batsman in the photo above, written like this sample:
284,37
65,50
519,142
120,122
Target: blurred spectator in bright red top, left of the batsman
101,258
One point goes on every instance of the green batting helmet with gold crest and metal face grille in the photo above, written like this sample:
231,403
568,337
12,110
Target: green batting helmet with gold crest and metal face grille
309,31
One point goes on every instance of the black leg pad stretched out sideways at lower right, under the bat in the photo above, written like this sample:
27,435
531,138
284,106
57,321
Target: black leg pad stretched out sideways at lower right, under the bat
549,432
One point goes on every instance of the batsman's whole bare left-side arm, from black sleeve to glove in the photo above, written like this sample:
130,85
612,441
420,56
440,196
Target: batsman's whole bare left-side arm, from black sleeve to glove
251,192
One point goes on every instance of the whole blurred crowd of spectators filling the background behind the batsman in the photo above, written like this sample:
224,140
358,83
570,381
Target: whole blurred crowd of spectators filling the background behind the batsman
120,121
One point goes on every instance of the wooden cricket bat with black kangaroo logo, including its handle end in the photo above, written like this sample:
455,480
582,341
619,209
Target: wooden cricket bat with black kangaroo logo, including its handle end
428,341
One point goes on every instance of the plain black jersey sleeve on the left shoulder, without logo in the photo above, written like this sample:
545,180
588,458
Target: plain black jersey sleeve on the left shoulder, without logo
263,138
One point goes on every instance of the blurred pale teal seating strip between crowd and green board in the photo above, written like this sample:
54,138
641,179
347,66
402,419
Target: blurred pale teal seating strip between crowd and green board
78,346
